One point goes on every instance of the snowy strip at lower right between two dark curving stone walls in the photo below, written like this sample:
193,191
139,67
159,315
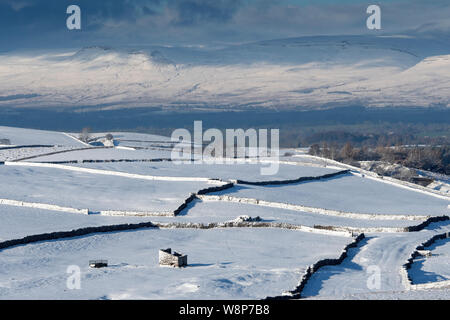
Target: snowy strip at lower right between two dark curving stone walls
388,252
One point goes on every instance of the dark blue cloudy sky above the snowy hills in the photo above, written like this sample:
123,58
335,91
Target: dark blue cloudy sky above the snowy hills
42,23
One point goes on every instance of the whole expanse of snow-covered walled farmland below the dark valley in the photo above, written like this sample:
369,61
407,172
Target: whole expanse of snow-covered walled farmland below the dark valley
300,223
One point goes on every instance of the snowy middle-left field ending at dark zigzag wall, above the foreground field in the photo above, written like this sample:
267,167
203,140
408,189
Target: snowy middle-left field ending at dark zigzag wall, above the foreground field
94,192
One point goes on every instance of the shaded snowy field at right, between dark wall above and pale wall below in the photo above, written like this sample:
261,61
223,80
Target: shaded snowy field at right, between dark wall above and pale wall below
347,193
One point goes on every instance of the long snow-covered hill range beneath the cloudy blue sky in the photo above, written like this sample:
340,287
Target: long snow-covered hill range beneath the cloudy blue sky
309,72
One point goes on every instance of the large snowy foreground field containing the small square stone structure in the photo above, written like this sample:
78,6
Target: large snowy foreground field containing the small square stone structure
242,264
